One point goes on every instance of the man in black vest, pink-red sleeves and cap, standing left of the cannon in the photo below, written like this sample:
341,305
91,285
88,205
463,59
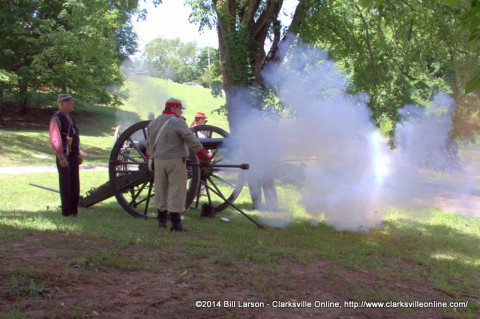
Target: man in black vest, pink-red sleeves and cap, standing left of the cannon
65,141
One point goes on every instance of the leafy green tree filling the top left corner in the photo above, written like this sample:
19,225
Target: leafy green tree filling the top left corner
74,45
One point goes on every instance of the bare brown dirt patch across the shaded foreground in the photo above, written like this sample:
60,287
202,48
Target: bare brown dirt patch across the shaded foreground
75,286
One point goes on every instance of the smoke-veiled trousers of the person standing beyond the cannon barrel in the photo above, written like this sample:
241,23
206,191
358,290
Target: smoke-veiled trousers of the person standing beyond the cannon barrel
266,184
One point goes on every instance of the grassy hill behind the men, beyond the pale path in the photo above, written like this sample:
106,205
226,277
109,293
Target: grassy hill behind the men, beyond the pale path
26,142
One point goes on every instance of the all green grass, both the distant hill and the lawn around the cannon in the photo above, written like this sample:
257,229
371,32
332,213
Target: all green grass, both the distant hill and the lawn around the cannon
429,248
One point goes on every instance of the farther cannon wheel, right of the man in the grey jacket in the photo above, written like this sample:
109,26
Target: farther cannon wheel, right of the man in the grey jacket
228,182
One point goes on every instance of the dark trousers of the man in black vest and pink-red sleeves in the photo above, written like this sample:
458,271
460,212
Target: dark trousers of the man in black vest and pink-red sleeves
69,181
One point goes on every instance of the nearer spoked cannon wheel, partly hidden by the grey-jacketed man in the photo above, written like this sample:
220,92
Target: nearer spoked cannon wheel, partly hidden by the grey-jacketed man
131,182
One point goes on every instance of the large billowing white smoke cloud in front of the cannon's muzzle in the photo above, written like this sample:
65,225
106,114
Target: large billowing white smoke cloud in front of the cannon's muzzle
347,172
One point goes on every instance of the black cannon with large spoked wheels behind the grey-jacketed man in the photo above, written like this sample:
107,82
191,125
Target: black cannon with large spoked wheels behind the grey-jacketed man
216,185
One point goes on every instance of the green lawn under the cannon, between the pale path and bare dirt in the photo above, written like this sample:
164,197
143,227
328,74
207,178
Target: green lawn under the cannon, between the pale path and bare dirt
437,241
